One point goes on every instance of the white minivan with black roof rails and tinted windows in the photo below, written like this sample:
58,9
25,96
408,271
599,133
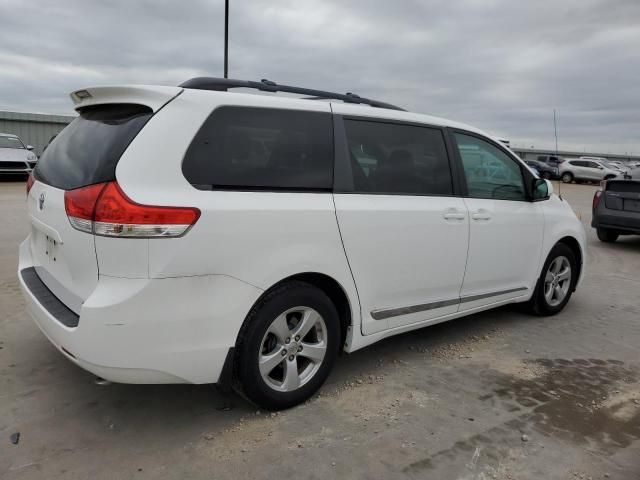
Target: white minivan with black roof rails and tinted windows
190,234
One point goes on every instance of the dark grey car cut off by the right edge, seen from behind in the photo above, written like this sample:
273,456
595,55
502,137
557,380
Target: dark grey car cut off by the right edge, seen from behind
616,207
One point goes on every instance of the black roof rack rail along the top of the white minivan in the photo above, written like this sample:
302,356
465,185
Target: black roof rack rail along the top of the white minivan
224,84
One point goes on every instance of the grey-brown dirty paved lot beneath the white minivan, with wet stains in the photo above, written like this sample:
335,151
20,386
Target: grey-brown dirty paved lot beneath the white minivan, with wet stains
497,395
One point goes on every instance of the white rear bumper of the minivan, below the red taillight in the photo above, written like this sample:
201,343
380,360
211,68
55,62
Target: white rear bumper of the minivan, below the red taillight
174,330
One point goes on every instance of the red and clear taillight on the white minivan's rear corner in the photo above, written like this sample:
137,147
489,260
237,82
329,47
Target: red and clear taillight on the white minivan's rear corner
104,209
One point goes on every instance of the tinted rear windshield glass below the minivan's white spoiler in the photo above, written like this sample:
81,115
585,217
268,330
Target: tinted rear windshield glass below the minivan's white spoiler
88,149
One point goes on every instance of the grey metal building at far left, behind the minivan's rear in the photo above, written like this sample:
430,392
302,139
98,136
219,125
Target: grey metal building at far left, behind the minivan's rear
33,128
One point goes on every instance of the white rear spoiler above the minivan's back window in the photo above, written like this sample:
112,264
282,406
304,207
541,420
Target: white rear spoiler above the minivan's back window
151,96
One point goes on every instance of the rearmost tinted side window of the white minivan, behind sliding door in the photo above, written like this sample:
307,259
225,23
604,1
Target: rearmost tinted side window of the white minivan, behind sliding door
263,149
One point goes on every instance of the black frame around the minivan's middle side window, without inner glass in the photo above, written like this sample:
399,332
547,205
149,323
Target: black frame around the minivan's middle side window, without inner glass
343,175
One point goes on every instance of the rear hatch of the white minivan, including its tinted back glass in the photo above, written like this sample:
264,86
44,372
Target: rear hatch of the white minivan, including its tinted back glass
85,153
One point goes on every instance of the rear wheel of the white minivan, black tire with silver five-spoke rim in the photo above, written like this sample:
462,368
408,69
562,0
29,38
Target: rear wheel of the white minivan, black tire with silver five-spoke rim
269,332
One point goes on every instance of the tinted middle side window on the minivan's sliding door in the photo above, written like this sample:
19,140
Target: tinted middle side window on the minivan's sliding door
399,159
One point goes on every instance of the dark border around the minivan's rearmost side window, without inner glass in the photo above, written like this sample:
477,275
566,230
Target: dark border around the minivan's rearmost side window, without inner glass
203,187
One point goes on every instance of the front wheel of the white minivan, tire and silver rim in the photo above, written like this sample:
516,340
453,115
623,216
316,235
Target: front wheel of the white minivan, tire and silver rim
541,304
